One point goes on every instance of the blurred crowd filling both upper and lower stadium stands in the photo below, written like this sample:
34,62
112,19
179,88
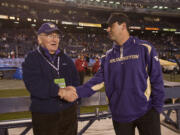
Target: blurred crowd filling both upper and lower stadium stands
17,40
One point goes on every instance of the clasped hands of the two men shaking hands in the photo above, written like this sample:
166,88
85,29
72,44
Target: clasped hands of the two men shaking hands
69,93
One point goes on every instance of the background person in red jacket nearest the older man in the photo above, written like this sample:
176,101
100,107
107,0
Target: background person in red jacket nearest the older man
81,66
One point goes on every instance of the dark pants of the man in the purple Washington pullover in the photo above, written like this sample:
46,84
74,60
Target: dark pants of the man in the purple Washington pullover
149,124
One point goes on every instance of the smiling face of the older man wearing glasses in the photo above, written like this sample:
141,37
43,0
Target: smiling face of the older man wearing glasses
49,41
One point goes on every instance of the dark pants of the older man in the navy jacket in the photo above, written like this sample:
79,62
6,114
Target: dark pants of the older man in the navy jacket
61,123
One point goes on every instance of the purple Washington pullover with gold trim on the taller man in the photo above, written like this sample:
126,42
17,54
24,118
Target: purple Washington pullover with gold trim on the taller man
133,80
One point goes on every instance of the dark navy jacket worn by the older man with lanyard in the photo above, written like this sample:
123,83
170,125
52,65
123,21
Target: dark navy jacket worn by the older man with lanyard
39,77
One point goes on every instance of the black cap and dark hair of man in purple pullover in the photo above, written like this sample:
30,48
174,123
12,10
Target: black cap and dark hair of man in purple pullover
118,17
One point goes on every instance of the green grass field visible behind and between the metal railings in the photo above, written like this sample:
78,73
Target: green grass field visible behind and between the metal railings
23,92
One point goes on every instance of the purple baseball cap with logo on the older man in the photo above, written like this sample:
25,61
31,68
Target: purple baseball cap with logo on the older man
48,28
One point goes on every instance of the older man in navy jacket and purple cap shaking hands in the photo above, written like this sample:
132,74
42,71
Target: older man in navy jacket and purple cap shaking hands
45,71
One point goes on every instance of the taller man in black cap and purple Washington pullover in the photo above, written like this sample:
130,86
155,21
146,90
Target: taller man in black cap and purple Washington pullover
132,76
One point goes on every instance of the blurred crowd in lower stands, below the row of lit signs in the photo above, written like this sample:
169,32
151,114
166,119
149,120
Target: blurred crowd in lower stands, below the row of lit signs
17,43
